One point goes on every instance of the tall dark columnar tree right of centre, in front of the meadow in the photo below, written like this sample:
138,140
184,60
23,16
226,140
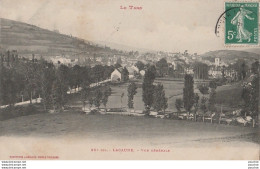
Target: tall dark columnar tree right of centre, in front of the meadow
188,93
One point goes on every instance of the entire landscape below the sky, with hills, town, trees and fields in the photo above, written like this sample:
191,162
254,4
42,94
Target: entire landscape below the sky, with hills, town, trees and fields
55,85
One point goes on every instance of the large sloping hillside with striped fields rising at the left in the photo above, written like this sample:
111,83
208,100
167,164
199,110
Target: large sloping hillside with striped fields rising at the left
29,39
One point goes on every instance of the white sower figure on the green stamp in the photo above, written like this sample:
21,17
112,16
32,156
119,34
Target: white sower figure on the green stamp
242,33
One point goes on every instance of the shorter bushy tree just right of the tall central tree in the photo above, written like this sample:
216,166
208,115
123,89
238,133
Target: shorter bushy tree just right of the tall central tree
160,101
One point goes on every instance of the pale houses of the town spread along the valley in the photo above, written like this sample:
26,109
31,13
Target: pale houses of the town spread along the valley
178,62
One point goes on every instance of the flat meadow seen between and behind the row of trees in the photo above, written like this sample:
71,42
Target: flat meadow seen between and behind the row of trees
227,95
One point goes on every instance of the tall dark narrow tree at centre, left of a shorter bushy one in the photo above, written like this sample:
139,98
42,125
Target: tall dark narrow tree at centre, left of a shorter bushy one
148,88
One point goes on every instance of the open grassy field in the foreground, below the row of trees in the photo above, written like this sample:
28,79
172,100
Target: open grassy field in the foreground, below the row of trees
118,127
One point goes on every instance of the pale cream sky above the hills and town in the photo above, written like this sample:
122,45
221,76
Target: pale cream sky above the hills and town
167,25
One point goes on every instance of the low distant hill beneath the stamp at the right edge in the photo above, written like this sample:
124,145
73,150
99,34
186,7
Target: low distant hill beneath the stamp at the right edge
230,56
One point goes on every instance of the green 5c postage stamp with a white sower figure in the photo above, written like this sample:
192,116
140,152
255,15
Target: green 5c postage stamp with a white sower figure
241,23
